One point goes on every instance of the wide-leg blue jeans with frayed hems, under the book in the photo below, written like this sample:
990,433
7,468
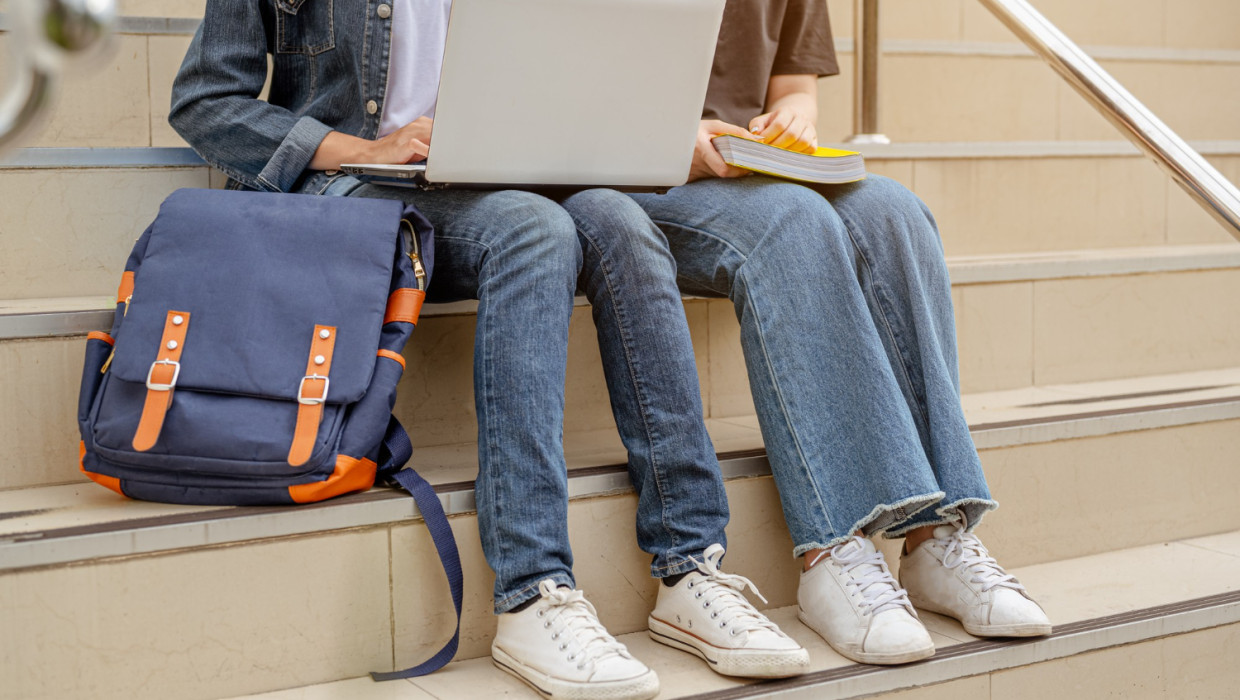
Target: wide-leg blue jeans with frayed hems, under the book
848,330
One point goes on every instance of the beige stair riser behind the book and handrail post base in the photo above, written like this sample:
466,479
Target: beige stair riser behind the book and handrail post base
928,96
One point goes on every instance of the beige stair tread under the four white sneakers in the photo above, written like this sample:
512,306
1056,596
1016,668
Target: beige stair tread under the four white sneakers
1076,593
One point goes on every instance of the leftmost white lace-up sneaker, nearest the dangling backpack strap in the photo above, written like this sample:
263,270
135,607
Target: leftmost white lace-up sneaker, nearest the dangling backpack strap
561,650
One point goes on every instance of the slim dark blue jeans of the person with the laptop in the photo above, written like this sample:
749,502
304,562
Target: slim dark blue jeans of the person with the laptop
524,257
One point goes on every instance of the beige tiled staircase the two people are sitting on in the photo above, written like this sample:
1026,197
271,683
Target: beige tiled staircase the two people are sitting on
1099,341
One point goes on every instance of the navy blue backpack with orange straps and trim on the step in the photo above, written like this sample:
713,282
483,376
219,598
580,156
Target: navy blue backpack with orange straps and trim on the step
255,357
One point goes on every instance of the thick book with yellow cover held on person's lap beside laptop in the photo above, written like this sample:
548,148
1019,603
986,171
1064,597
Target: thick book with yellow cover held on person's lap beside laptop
829,167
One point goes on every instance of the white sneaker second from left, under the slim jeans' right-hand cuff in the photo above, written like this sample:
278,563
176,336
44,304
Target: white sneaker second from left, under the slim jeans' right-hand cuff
707,615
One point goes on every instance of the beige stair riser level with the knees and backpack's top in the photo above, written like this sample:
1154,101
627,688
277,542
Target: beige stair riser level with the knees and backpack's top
981,205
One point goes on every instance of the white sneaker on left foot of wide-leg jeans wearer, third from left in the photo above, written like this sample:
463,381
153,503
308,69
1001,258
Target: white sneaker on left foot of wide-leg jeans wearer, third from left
850,598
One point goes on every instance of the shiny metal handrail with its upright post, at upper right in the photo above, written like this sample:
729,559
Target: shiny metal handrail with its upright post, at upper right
1206,185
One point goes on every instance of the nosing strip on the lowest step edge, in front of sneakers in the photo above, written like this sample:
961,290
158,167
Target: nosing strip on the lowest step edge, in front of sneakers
989,656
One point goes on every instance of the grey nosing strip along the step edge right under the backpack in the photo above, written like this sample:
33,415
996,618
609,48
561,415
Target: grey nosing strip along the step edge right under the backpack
381,507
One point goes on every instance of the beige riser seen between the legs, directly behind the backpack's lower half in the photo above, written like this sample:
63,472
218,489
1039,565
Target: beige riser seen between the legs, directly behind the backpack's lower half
1011,335
